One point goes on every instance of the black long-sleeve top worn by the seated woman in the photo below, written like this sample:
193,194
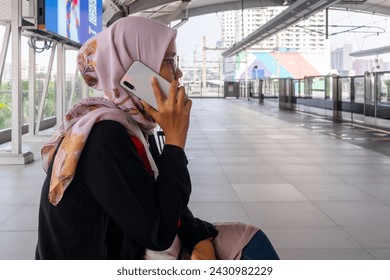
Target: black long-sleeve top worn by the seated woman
114,208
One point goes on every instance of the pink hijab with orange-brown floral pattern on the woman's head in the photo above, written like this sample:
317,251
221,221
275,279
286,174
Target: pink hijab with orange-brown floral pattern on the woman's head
102,61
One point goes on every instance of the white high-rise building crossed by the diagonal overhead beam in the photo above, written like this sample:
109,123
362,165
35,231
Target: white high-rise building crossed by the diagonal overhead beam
305,36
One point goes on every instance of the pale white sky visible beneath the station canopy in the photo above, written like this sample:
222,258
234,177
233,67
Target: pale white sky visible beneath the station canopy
190,36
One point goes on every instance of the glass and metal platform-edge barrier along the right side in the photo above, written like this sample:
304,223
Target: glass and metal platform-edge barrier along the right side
363,99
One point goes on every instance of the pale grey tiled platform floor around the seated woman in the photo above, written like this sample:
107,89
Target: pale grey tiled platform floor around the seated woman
320,190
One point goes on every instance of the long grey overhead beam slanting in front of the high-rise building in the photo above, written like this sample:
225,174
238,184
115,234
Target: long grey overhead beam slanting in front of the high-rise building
294,13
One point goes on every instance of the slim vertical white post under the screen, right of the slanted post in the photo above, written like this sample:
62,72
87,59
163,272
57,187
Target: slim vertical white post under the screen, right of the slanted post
60,88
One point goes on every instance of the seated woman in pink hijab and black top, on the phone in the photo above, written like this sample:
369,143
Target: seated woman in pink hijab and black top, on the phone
104,196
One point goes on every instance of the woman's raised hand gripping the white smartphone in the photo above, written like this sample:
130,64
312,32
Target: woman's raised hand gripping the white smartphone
173,113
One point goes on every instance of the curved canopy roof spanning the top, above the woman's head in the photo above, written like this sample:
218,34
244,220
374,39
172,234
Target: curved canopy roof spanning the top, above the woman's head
168,10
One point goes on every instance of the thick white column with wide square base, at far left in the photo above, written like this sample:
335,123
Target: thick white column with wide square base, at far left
15,155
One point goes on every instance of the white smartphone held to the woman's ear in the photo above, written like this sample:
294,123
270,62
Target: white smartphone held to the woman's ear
137,80
